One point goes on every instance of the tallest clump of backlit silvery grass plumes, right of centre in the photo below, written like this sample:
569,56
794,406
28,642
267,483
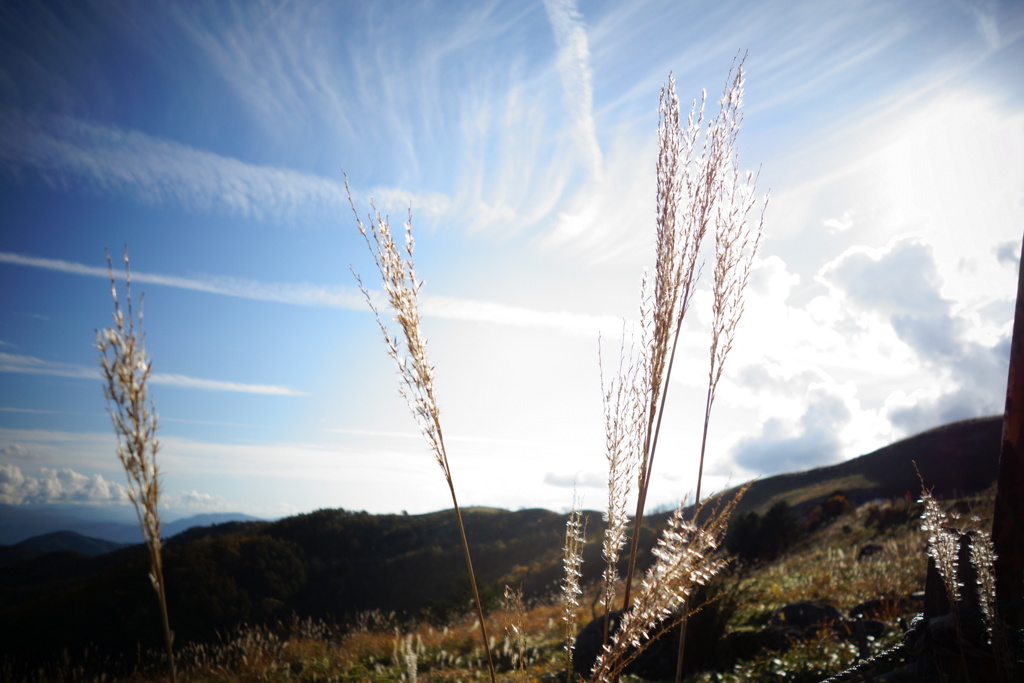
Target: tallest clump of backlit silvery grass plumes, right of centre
700,188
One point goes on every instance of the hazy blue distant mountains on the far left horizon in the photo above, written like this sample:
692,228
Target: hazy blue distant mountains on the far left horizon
20,523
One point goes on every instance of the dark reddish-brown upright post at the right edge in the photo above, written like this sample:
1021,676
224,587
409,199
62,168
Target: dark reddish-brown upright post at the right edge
1008,520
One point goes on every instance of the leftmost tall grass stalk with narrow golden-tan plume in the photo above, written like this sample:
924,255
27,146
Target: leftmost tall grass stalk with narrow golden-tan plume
126,369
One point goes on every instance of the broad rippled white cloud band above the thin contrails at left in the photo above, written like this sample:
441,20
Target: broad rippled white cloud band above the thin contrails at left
108,160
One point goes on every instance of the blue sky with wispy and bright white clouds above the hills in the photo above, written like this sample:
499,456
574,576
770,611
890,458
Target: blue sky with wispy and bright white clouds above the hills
210,139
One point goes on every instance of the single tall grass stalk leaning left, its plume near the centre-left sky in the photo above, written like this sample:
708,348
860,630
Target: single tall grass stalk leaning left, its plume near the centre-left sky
417,386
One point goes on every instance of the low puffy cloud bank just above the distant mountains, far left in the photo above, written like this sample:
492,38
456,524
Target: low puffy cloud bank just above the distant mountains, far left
57,486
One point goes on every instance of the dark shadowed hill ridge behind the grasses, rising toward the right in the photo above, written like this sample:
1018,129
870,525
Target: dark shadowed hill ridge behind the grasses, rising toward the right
333,565
